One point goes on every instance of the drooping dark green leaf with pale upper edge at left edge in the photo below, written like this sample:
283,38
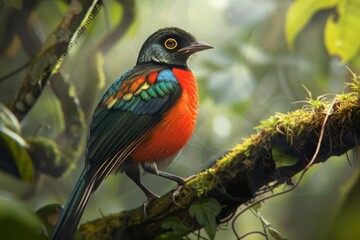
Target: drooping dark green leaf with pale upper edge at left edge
15,146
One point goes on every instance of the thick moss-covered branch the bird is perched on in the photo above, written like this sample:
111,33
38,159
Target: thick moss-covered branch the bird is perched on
282,147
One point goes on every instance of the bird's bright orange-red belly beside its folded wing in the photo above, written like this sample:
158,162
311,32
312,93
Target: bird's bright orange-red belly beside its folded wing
170,135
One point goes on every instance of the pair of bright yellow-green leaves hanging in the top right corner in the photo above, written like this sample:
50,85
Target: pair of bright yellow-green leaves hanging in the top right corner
341,29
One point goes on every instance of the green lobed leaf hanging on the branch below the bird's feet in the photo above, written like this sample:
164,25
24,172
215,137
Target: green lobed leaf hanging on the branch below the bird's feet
205,212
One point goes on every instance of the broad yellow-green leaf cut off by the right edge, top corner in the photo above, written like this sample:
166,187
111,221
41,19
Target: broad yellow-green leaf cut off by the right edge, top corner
342,30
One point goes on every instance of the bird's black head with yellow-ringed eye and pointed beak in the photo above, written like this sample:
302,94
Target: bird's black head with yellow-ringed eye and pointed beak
170,46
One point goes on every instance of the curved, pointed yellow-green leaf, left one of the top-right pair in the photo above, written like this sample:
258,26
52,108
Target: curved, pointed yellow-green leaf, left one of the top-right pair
299,15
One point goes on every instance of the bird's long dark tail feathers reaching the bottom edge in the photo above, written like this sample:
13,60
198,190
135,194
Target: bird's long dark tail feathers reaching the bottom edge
71,214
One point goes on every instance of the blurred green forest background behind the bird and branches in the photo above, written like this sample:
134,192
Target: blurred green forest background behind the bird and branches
247,77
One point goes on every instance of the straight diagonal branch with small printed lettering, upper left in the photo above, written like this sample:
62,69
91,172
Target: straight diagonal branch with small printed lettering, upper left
46,63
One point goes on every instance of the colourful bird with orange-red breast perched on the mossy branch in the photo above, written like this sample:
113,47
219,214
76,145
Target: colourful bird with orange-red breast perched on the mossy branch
143,120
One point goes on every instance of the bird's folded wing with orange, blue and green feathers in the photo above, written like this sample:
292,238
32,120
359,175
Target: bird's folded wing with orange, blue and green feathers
130,108
